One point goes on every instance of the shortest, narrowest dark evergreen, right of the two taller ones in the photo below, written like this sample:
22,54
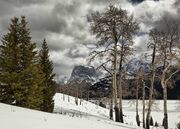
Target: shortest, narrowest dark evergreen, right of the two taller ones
49,84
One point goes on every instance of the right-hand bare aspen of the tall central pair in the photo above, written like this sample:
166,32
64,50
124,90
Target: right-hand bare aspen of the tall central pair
128,29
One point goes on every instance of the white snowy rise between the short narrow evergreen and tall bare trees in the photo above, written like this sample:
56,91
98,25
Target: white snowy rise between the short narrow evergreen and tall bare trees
66,104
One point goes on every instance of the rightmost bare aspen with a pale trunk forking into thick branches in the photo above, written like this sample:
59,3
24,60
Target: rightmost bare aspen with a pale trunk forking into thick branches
169,57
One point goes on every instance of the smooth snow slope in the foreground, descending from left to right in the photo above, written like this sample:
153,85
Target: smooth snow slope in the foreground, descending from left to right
12,117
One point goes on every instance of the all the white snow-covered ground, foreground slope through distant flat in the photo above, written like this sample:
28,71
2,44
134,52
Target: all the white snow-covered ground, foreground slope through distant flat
71,116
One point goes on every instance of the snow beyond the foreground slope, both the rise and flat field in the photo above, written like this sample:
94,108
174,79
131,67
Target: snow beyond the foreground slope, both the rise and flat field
90,110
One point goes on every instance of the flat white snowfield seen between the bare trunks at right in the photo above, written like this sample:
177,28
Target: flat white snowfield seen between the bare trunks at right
157,112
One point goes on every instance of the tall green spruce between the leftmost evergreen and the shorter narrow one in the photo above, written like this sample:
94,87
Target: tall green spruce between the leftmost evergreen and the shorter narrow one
31,77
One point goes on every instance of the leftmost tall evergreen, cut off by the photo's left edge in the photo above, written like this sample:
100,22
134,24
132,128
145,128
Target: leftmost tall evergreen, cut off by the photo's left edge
9,62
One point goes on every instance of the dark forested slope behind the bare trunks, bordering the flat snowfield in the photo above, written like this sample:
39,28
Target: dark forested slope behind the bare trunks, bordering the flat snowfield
103,89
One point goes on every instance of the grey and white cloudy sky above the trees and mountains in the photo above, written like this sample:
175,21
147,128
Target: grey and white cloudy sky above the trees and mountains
63,23
